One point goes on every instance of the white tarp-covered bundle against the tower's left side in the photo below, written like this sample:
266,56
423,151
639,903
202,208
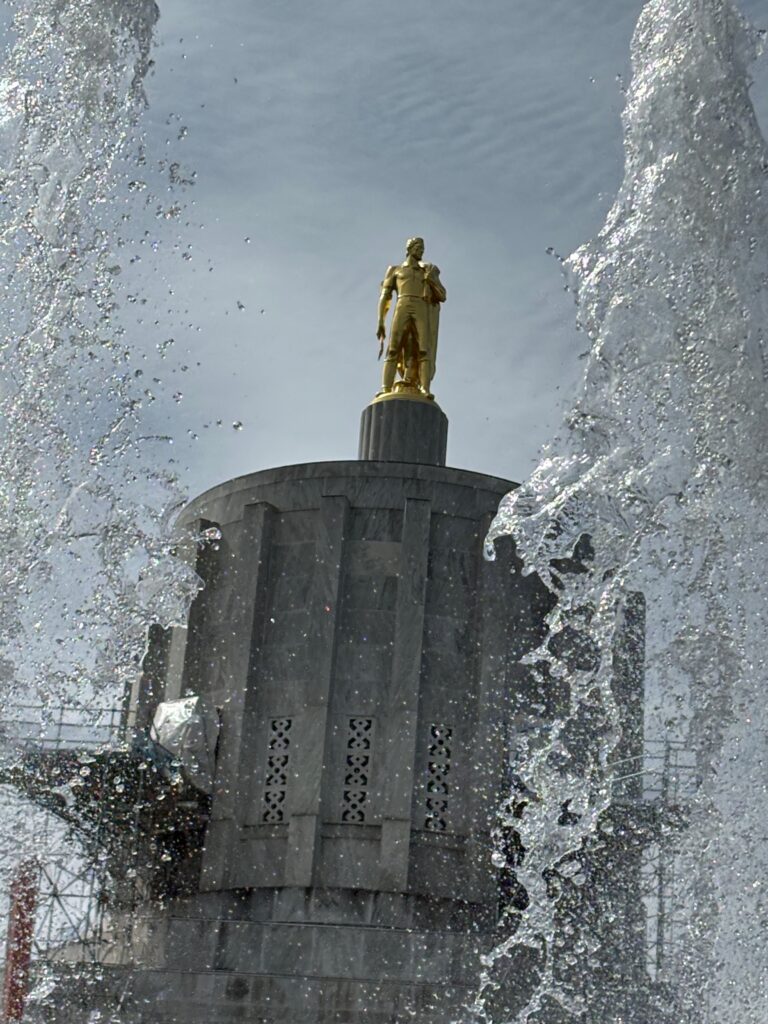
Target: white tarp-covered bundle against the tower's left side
188,730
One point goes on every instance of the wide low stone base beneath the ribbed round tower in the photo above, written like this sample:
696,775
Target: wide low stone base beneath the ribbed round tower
202,971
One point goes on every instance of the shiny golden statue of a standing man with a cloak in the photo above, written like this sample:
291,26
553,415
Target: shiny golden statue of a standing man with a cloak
413,338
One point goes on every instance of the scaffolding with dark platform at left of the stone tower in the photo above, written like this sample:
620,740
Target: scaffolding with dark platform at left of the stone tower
112,813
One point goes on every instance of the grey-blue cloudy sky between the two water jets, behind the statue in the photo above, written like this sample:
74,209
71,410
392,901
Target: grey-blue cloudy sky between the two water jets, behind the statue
327,134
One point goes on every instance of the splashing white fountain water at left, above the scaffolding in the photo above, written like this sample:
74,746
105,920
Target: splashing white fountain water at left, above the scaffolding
86,499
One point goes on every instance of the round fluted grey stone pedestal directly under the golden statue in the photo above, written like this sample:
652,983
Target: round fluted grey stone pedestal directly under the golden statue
404,429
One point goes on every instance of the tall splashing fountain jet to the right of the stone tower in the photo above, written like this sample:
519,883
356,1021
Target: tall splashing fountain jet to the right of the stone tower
662,462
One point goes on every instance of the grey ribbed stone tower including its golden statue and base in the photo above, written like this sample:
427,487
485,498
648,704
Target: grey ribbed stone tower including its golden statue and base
356,661
